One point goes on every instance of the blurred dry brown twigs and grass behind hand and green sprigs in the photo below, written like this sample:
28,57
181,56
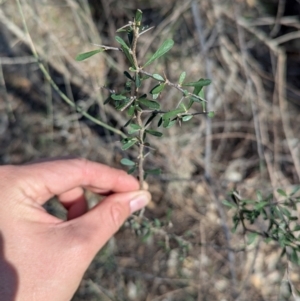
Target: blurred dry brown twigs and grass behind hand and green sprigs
252,143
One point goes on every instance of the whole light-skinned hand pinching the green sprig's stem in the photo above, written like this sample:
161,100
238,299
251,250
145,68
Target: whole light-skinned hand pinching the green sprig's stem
41,256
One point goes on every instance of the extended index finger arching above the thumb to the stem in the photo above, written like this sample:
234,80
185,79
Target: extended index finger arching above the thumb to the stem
42,181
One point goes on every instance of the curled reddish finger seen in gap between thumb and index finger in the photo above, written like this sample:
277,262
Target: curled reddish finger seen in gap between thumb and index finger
75,202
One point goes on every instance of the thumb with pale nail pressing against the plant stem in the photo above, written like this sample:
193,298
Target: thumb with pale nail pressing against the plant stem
105,219
